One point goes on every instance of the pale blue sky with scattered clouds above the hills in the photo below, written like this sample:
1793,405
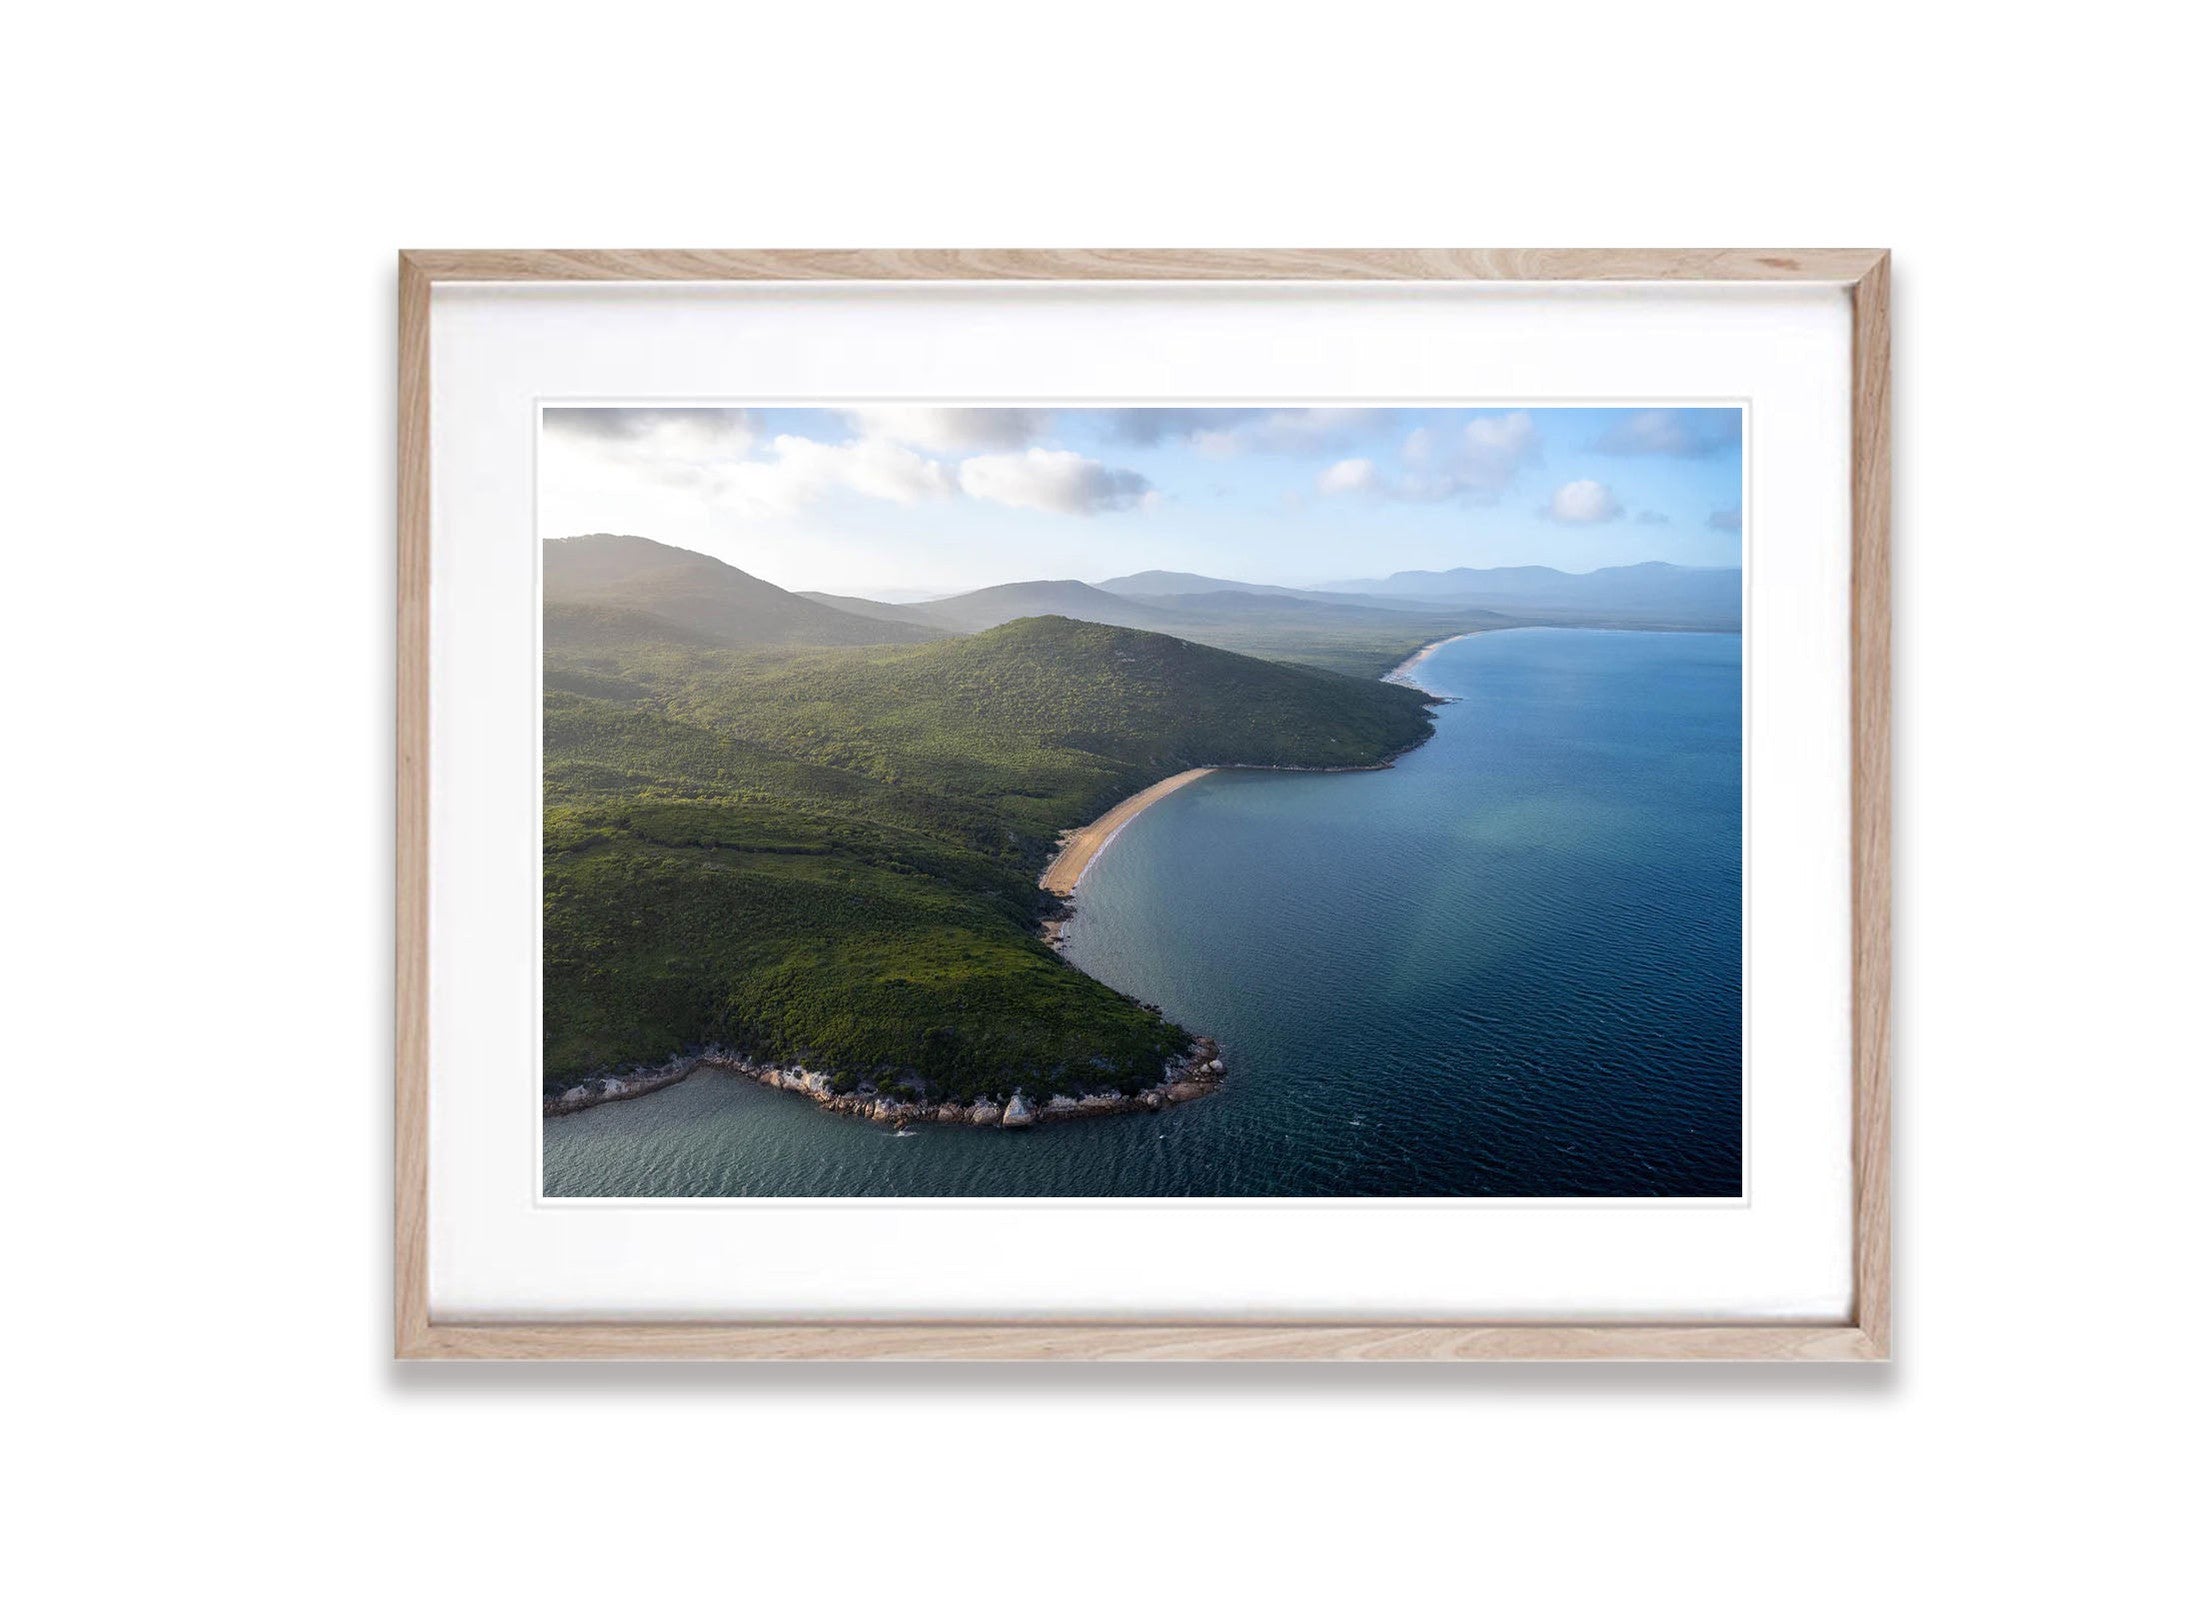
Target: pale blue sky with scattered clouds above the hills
936,500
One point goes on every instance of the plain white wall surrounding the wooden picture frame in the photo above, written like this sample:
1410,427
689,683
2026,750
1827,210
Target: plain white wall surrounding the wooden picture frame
199,630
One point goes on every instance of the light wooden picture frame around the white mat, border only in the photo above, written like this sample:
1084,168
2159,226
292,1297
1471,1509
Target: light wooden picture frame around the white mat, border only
1864,1336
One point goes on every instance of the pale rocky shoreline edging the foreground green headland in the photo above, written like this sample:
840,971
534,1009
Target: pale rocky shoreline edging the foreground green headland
1189,1077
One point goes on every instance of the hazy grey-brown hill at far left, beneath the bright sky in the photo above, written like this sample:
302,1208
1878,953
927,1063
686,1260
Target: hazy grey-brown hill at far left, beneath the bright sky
696,597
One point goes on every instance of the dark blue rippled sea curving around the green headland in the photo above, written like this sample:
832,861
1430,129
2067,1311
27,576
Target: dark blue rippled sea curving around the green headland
1507,967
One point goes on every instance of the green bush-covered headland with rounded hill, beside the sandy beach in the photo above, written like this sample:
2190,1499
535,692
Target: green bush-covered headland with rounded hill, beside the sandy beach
832,854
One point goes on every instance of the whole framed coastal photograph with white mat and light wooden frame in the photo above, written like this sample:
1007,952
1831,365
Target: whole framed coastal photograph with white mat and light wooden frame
1142,806
